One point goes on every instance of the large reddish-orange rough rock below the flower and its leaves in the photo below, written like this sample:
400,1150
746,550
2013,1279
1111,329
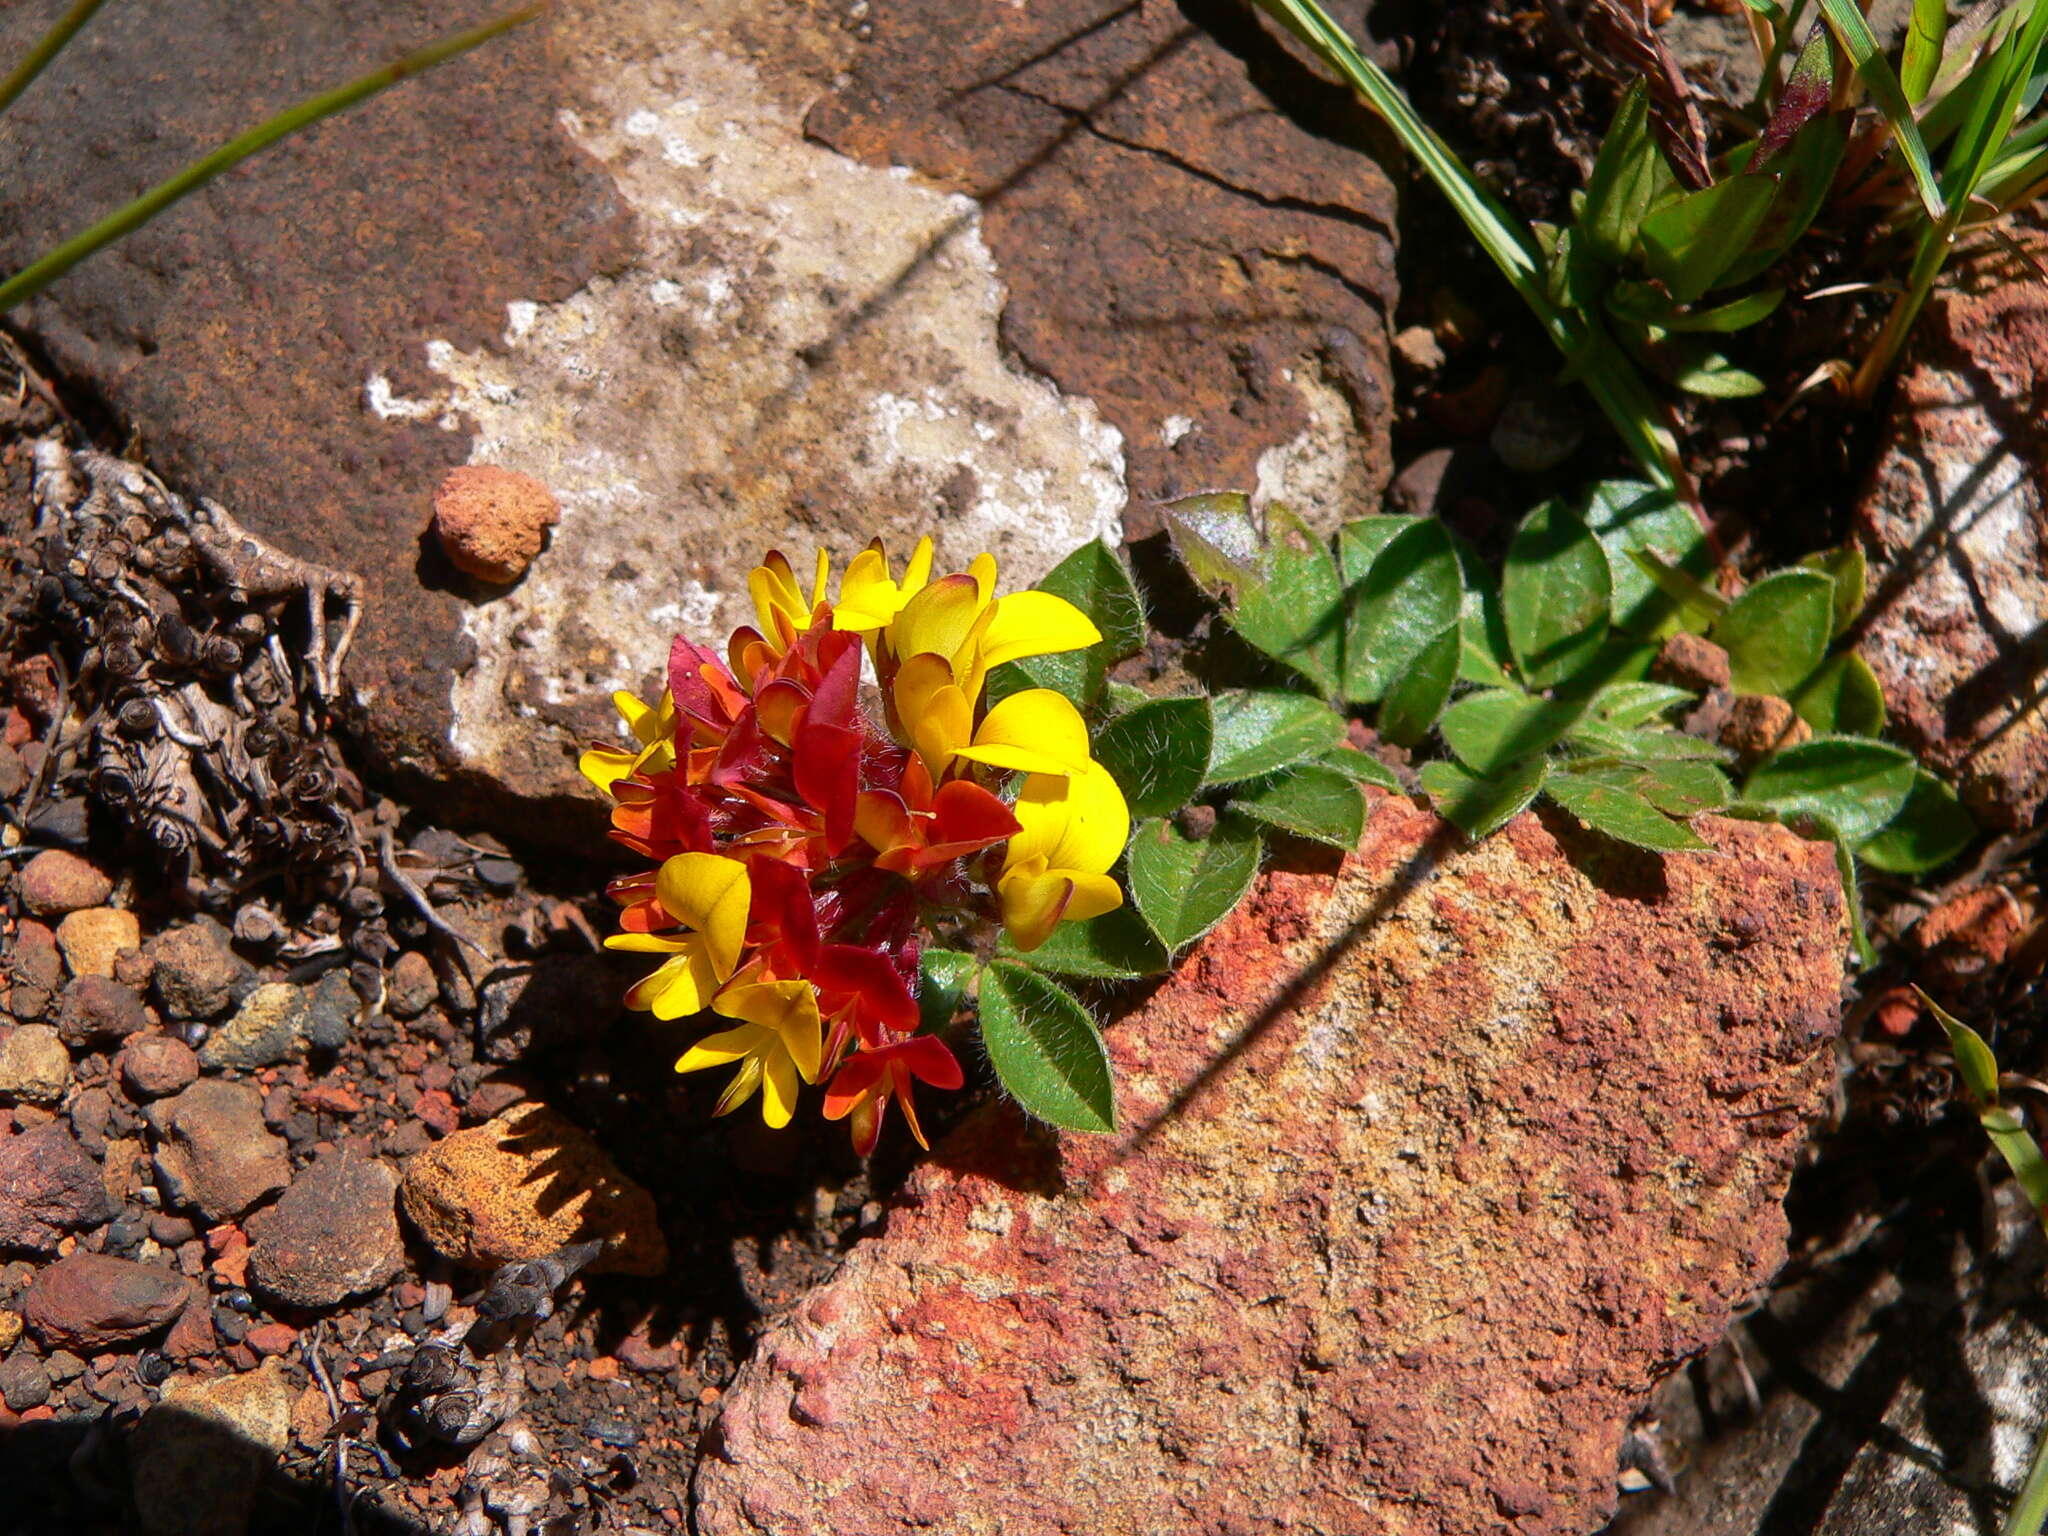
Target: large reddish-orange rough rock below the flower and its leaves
1424,1177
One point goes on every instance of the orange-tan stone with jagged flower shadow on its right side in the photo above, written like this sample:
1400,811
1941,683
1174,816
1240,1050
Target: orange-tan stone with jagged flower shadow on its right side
527,1185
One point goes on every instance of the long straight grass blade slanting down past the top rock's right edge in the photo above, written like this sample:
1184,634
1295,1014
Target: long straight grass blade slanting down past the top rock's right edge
1607,372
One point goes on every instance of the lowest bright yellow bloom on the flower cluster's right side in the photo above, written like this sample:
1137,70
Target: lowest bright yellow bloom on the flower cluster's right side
1056,869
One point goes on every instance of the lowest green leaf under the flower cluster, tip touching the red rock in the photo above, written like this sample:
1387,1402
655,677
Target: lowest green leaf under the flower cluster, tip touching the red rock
1046,1050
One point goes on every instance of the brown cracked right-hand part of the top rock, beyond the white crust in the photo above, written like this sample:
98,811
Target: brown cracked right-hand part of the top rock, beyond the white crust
1185,216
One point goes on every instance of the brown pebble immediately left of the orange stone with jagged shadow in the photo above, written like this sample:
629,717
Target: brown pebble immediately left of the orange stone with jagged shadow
331,1236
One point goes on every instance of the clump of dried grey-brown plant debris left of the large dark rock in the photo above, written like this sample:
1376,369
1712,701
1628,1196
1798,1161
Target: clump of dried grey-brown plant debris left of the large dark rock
196,665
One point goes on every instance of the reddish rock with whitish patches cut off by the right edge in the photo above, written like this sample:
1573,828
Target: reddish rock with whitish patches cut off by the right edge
1957,531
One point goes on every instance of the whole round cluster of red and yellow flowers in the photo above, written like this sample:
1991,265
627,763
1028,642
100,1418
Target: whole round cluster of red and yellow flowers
804,839
